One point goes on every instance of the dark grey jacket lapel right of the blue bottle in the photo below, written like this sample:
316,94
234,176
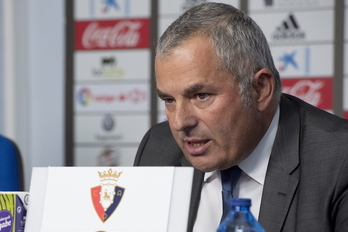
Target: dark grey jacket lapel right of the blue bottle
282,174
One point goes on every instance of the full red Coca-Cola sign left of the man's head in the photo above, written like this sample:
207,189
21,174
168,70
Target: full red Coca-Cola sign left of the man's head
112,34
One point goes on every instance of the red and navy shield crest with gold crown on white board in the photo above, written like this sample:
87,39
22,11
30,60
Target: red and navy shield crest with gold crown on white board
107,195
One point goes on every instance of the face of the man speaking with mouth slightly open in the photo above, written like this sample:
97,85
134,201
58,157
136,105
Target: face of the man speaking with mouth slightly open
204,108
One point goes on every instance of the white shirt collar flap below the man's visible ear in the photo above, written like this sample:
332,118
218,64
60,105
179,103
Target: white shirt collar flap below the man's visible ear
255,165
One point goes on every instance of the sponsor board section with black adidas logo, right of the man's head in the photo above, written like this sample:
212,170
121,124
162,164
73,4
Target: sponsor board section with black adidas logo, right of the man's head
302,52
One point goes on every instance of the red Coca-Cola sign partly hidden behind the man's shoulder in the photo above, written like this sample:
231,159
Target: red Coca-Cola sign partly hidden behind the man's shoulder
317,92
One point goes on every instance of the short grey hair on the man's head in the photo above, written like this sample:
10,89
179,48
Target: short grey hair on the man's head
240,45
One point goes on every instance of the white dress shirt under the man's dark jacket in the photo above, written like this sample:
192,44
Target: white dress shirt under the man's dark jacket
250,184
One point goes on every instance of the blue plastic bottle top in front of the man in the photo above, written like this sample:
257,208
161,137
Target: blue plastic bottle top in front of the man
240,219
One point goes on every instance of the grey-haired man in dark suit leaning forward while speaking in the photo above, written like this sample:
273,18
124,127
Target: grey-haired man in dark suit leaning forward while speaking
222,92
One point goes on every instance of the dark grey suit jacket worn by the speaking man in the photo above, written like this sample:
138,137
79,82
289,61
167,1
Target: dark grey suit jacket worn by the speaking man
306,185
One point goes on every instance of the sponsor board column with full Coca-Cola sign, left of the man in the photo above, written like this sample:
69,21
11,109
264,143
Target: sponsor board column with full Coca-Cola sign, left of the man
112,69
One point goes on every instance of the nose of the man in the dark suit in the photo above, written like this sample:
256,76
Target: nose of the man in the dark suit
183,117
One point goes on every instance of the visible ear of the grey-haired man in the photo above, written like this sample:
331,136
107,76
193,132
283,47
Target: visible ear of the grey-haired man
263,85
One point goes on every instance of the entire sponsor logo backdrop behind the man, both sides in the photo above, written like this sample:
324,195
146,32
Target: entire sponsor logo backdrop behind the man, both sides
113,99
